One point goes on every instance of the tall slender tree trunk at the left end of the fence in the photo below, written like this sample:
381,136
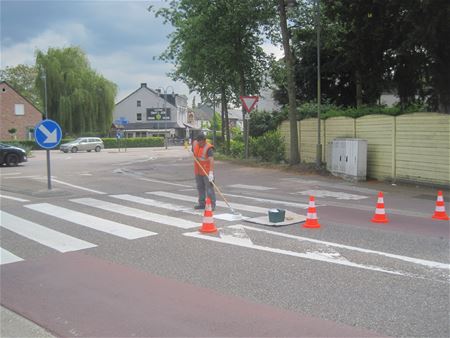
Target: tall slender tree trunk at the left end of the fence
289,61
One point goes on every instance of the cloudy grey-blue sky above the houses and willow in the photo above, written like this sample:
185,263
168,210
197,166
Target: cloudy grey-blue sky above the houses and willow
120,38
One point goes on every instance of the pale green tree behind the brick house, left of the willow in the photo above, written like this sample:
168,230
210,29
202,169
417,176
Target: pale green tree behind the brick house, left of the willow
22,78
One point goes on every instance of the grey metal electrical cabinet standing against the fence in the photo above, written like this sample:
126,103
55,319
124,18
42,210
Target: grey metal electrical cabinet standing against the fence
348,157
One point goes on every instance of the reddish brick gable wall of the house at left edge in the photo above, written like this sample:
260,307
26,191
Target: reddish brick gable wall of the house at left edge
8,119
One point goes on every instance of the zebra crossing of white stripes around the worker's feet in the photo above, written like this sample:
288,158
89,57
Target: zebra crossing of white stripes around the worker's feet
23,226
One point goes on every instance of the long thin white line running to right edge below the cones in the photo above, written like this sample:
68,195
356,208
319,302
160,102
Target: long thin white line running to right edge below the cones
430,264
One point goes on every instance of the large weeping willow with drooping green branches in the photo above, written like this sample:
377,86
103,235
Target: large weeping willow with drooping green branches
78,98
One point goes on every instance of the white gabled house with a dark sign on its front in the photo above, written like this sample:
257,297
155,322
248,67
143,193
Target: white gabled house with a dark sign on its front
150,112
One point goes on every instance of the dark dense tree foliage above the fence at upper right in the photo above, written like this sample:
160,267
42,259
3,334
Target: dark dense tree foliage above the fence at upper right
371,46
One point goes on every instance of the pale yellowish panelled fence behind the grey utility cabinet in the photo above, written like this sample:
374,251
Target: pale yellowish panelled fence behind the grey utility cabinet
411,147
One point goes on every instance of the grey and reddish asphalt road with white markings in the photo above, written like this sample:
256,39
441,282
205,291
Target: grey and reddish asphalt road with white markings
114,250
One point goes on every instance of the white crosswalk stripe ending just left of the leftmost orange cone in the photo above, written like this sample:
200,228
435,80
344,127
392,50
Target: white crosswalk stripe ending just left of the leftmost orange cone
138,213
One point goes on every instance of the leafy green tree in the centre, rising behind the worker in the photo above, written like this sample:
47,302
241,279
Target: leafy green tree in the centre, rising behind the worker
216,48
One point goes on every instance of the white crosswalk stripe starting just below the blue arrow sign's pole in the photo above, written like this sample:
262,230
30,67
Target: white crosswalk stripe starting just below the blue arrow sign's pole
93,222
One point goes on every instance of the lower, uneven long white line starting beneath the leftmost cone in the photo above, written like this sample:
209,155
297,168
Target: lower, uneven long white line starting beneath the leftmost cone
308,255
